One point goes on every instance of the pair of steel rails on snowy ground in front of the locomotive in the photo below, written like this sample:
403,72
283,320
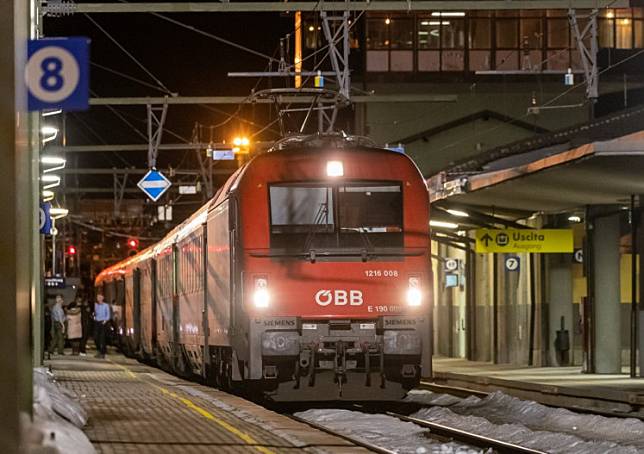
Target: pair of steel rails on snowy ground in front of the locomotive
439,432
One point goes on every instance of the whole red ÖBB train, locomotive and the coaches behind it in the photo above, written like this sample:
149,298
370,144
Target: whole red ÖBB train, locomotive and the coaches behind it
307,277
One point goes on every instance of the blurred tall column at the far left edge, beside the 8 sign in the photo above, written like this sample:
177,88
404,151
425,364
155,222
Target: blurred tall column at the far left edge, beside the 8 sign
16,206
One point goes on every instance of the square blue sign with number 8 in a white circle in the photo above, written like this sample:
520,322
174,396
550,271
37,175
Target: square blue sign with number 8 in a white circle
57,74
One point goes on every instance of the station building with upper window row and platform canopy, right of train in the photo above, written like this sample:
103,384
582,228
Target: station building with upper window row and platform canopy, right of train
547,156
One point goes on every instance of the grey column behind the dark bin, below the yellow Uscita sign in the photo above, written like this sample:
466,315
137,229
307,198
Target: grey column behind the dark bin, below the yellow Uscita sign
560,304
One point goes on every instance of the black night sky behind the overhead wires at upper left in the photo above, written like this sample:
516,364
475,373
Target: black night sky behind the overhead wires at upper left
187,63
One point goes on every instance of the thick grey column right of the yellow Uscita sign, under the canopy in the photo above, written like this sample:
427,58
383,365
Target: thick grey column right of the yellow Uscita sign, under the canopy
607,326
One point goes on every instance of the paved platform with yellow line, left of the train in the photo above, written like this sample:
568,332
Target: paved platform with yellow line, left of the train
134,408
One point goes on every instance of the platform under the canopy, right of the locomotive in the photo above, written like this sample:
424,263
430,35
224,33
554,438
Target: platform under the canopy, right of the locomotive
558,386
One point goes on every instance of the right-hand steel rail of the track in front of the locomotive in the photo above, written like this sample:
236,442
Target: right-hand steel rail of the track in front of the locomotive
469,438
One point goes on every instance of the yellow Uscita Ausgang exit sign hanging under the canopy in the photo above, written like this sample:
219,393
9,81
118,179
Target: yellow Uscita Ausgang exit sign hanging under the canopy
513,240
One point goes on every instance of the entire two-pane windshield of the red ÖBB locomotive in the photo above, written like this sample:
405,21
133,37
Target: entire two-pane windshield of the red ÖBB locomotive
357,215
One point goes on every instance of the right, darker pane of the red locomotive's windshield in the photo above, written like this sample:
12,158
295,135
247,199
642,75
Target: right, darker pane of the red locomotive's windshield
370,209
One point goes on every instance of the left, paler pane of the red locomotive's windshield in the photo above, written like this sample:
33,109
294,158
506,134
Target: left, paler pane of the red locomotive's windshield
301,209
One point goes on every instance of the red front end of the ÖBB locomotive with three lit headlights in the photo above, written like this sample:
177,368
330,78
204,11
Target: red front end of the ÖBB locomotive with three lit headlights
336,274
